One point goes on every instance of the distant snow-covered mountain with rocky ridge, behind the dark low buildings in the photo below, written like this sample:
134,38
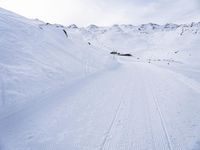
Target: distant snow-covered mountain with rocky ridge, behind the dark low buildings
148,41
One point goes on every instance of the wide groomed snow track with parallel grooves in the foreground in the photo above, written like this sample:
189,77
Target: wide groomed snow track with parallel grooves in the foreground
135,106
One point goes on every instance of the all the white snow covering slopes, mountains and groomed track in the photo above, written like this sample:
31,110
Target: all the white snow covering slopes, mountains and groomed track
60,92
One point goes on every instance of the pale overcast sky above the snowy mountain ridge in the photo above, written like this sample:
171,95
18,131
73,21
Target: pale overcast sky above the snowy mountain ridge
107,12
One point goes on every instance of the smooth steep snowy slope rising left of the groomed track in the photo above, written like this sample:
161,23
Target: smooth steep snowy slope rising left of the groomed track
36,56
